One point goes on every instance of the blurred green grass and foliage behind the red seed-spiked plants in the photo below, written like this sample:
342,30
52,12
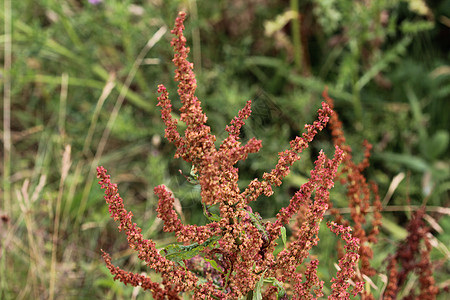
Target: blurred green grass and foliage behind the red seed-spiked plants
82,88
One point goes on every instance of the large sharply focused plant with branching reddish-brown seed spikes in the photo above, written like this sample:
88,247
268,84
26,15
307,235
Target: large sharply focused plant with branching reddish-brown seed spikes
232,256
